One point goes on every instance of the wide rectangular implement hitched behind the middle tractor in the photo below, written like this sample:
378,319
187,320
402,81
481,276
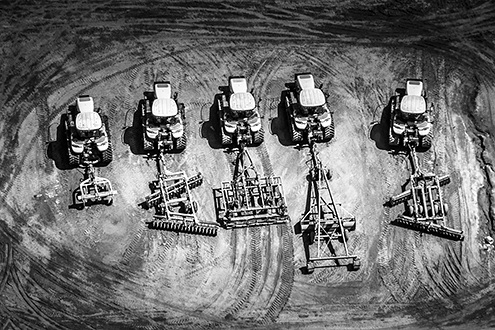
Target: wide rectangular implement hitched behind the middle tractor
250,200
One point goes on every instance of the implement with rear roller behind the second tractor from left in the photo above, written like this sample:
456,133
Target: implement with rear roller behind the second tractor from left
171,198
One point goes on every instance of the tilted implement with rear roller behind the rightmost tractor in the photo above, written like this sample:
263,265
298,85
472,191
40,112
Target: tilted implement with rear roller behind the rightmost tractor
426,210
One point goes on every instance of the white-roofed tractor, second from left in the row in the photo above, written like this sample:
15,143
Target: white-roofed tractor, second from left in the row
163,119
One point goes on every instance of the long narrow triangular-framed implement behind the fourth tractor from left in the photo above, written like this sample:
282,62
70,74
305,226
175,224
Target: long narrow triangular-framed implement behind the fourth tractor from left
325,221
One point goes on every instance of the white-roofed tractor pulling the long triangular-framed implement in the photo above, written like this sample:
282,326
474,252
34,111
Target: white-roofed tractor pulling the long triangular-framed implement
307,111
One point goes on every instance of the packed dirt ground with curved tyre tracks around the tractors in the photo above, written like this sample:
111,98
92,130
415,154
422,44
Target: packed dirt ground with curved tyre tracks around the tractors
102,268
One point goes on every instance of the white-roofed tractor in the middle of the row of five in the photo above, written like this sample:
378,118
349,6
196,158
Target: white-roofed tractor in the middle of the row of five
240,121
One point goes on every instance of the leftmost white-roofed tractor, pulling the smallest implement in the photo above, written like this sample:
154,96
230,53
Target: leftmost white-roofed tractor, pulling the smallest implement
88,134
